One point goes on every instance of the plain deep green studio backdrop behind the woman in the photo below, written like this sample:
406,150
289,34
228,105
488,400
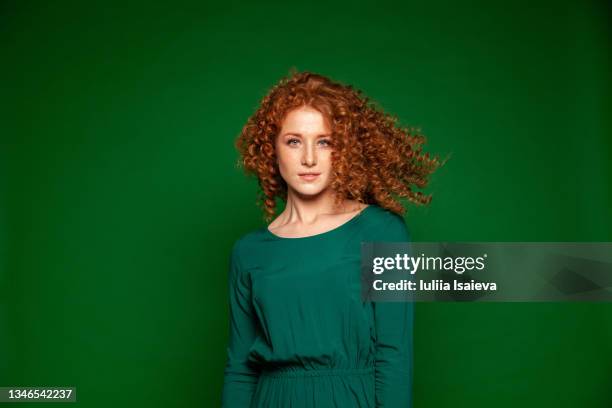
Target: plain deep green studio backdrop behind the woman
120,199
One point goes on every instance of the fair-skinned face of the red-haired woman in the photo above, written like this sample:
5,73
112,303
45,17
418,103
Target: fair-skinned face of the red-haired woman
303,148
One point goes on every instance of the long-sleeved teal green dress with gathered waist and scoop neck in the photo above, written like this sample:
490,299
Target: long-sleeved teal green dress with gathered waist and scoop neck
300,334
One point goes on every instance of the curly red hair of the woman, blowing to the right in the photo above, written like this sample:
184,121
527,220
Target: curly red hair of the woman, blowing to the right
373,160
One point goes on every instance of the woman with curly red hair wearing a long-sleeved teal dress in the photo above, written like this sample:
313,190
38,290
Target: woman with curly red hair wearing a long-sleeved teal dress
300,334
